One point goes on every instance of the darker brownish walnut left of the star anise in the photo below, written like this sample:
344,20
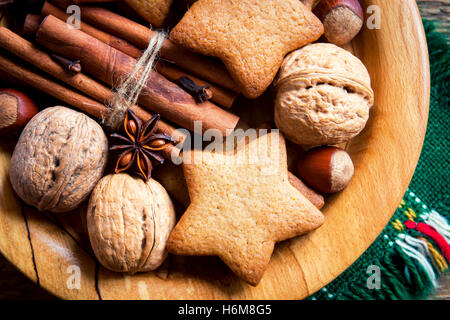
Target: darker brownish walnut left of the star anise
60,156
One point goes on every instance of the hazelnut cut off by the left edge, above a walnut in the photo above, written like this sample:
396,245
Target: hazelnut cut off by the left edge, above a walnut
16,109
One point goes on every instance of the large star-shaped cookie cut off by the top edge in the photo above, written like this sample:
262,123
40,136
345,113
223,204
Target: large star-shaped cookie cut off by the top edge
251,37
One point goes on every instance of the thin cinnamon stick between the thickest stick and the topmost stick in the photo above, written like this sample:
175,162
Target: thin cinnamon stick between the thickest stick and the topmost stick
221,96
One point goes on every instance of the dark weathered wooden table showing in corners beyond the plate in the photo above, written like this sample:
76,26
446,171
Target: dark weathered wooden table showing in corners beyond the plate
15,286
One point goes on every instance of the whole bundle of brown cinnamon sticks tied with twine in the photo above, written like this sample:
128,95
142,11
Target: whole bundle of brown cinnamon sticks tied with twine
108,52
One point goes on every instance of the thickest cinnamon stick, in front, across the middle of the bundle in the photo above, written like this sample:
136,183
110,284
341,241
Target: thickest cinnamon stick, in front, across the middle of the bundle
112,66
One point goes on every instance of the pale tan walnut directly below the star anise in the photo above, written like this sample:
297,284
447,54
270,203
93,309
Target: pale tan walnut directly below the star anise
129,222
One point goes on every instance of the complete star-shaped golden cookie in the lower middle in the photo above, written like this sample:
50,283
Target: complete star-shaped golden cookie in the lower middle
241,205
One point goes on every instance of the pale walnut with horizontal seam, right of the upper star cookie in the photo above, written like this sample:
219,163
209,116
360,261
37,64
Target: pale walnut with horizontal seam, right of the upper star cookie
323,95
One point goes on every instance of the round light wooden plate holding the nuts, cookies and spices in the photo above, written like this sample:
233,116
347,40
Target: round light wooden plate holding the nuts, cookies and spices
53,249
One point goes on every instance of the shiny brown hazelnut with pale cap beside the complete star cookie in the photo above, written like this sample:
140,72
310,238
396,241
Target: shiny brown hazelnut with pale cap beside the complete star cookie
326,169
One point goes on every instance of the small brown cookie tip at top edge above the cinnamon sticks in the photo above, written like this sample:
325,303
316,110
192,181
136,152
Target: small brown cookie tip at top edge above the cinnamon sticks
154,11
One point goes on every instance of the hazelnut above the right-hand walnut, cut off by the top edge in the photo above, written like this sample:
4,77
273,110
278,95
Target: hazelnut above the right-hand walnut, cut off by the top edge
342,19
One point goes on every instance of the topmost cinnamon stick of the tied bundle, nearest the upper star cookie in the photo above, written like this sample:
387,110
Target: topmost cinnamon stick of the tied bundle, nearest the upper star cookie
204,67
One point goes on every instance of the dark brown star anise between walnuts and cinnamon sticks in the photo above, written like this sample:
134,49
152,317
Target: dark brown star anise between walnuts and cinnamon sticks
140,145
